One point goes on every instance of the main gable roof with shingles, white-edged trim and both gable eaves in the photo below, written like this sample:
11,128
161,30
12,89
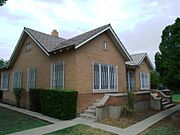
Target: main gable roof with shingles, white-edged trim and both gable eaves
50,44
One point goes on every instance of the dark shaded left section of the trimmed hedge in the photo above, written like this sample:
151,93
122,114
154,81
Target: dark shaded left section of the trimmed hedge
34,100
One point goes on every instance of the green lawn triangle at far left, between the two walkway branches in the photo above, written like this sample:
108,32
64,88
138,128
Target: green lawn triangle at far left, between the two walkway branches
11,121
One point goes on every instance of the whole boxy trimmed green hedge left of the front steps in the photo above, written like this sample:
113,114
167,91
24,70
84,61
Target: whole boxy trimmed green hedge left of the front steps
60,104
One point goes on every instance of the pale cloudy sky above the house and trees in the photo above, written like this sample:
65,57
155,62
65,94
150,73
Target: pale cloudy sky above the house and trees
138,23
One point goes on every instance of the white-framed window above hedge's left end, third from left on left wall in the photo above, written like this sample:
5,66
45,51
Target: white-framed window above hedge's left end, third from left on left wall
31,81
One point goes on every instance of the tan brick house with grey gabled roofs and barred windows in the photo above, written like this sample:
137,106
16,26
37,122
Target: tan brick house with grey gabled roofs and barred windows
94,63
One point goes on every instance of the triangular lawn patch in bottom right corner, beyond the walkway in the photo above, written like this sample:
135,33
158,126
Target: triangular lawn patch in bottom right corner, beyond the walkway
167,126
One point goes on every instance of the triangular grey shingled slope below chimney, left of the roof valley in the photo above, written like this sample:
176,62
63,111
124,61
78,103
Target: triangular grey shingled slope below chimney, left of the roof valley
47,41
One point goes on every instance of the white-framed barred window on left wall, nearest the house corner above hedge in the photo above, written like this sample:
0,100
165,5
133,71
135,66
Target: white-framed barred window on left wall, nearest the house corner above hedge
53,74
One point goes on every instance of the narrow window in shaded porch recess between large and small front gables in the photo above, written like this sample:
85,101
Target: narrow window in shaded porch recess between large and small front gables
130,80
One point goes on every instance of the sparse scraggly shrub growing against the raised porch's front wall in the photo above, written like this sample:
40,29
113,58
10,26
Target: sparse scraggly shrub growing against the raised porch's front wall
128,108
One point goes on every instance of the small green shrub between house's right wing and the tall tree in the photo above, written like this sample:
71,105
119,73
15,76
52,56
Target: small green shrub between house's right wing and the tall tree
155,79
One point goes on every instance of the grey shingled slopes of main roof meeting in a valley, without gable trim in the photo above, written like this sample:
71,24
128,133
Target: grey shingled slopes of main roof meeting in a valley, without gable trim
52,43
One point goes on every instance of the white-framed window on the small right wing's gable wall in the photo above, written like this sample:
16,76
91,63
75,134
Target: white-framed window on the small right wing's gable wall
147,80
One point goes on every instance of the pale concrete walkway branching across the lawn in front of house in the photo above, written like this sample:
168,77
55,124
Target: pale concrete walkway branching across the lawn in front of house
59,124
